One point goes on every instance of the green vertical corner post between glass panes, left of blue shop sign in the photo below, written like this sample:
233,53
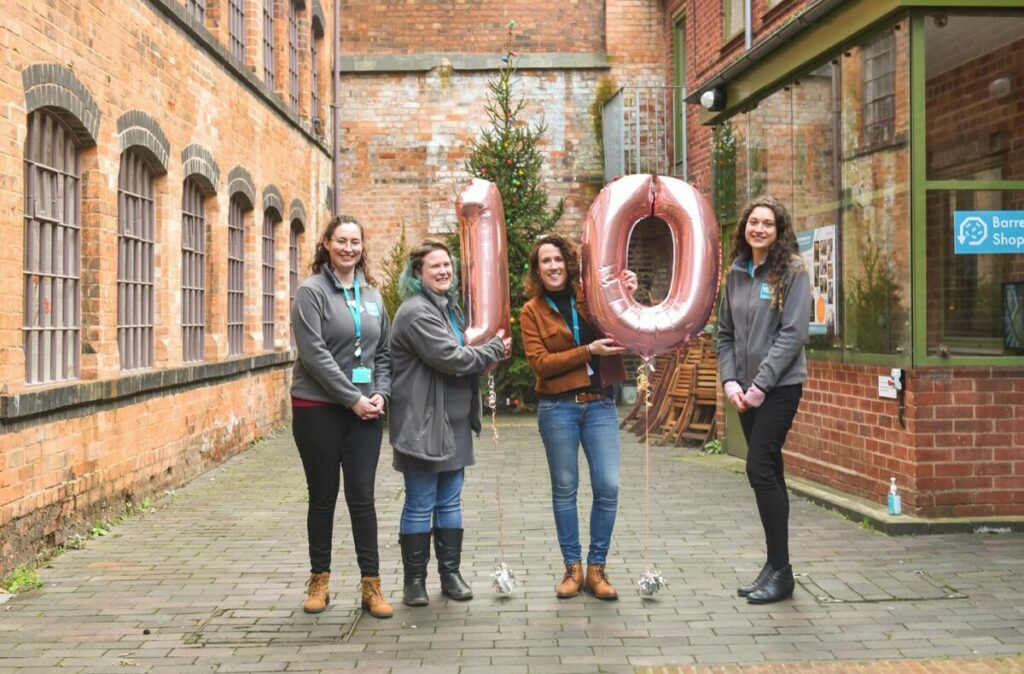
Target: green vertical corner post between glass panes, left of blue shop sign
919,208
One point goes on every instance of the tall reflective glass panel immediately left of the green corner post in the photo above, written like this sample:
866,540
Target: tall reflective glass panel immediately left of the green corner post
876,201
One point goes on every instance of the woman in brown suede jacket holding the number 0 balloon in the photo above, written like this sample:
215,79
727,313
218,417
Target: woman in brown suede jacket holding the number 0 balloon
576,370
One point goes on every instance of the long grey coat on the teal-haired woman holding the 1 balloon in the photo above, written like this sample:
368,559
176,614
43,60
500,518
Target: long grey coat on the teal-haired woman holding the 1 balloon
426,360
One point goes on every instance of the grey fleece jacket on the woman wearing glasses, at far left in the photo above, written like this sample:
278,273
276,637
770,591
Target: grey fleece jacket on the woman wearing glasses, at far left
325,336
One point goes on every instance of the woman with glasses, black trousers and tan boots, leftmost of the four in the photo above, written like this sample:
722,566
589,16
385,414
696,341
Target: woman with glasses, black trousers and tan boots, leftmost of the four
340,386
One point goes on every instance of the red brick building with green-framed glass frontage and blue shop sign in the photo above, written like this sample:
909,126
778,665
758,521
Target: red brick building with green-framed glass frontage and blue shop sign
882,124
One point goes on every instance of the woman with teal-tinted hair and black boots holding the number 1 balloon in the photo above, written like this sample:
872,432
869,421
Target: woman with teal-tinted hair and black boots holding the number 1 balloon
436,409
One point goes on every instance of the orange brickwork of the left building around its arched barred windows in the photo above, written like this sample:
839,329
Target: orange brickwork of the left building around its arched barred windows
84,453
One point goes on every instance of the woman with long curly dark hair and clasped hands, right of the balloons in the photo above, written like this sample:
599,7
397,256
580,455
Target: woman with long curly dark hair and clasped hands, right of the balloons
762,328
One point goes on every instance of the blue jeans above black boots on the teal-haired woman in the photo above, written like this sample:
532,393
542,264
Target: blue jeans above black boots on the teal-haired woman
435,497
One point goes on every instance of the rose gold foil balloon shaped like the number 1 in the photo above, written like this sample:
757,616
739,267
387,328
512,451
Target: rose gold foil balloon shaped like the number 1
485,262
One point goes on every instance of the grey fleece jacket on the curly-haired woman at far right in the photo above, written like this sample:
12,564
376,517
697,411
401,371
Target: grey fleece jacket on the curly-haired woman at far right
757,344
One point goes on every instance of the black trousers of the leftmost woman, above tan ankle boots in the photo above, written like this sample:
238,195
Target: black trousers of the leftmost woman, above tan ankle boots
333,440
